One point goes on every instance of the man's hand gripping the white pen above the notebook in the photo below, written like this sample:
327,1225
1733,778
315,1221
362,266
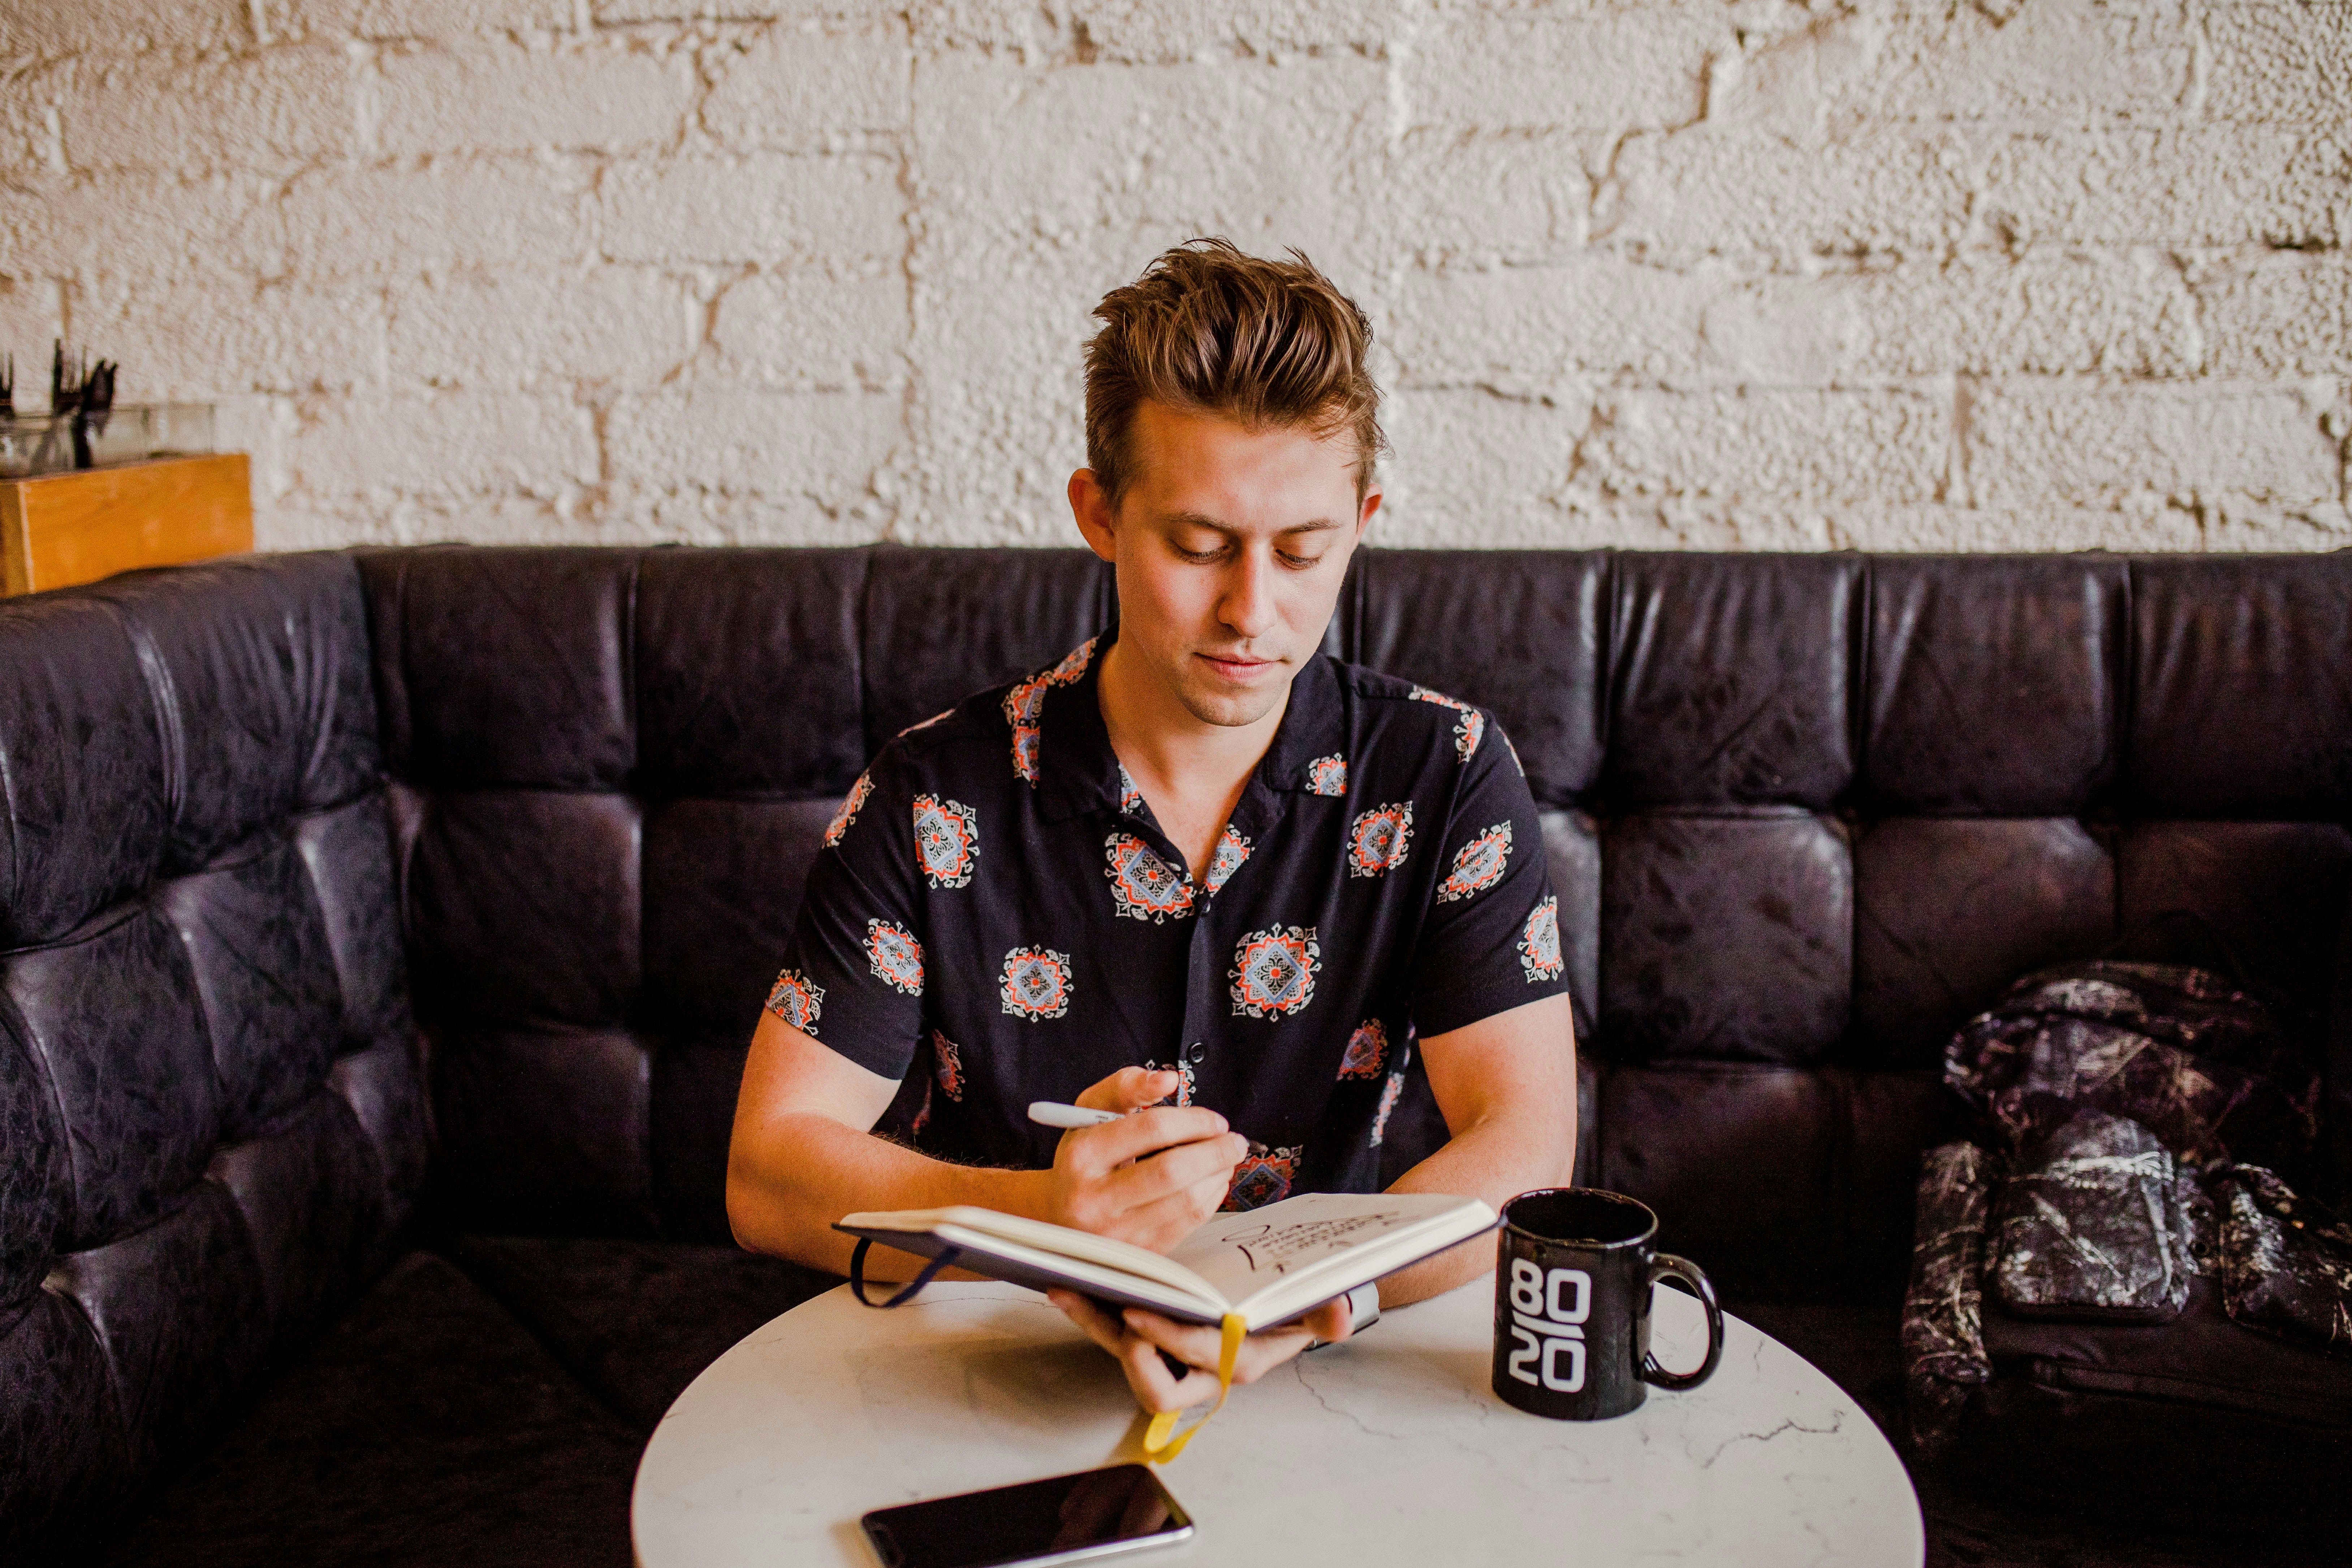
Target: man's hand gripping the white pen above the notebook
1149,1177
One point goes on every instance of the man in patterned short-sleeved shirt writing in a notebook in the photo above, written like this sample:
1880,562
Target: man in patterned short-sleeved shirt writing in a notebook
1194,871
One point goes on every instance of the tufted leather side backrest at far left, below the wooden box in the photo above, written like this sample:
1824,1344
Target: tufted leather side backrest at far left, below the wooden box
211,1118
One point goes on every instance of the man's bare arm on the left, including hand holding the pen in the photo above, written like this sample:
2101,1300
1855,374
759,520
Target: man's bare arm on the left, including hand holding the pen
803,1158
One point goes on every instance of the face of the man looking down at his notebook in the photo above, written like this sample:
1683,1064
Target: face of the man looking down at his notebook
1231,547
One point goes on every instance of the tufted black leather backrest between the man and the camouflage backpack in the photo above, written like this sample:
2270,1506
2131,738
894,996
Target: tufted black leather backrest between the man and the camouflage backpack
1838,803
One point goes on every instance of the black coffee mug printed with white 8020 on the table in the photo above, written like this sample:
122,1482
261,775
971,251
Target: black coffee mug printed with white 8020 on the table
1572,1306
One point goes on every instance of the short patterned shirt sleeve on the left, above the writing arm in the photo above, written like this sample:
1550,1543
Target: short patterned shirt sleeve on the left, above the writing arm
855,970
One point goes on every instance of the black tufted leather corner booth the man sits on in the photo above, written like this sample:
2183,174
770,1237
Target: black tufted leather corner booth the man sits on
380,937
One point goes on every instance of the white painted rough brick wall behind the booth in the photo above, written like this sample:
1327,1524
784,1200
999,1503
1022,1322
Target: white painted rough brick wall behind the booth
1713,274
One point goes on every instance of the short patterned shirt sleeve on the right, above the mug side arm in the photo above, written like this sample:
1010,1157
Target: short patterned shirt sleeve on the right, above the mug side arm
1490,939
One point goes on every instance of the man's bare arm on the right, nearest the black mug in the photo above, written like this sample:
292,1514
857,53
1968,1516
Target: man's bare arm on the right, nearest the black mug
1506,1087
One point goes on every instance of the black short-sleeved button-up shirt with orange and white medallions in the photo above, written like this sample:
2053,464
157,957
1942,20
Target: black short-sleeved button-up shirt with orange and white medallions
998,909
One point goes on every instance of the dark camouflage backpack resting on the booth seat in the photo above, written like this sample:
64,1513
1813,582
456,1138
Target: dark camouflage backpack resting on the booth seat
2127,1184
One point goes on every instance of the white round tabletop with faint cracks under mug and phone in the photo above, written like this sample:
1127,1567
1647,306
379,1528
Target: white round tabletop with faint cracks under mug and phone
1384,1452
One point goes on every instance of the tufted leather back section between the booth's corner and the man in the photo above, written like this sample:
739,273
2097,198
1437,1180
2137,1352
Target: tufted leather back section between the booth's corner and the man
613,775
